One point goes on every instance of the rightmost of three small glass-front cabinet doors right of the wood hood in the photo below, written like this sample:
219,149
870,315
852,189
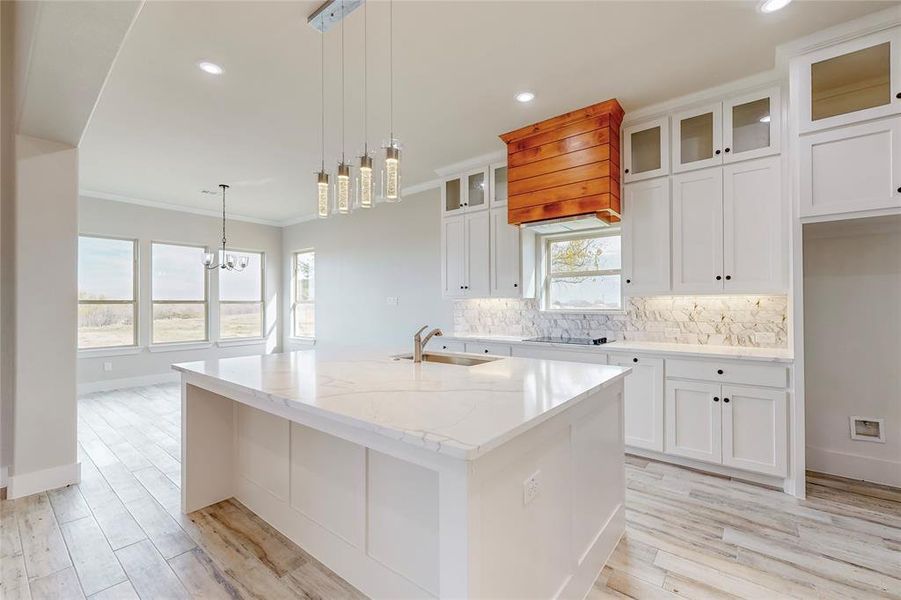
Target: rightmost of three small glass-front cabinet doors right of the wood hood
752,125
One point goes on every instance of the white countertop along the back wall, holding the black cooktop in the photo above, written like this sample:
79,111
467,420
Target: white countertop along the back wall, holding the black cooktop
698,350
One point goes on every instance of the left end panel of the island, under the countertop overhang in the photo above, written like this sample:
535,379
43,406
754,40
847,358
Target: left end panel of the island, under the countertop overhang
207,448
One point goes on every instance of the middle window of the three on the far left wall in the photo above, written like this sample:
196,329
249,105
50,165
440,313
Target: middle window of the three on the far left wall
178,294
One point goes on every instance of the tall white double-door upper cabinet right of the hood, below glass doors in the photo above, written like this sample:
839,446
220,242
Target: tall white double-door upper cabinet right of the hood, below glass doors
730,229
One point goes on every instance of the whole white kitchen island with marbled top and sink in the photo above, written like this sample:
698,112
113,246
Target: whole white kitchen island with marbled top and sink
500,478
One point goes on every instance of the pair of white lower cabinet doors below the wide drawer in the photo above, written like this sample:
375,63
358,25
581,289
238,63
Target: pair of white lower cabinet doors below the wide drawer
737,426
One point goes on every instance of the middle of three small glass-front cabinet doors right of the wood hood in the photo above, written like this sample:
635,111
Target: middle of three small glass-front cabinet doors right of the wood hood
697,138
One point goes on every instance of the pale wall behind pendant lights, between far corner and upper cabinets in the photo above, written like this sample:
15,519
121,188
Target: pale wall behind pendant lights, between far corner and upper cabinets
392,250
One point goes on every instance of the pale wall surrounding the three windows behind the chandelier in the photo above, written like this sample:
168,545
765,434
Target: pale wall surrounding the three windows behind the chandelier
105,217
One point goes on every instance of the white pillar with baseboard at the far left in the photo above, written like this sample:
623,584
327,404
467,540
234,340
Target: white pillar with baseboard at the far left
45,294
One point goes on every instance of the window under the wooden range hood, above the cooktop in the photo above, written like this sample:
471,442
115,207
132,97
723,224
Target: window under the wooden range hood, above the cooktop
583,272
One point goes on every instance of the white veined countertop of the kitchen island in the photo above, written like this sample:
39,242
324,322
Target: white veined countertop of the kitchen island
455,410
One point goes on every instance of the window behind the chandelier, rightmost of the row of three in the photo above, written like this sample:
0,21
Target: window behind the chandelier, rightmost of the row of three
241,299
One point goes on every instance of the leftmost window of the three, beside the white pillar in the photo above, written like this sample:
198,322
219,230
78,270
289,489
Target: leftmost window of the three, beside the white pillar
107,311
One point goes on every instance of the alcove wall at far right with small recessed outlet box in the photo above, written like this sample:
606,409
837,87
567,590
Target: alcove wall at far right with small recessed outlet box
852,340
